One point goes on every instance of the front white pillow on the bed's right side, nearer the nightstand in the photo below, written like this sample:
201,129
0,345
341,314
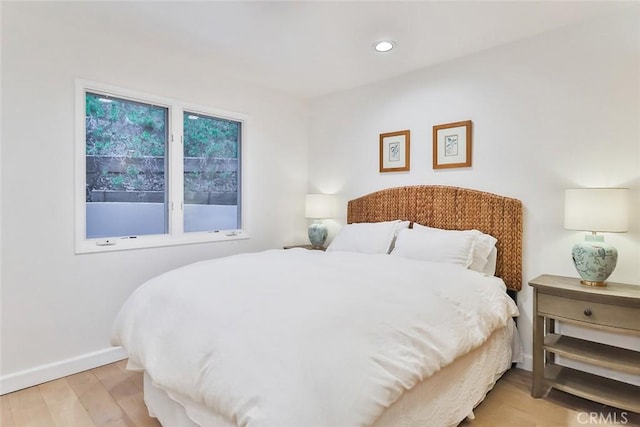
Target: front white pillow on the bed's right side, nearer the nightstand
435,245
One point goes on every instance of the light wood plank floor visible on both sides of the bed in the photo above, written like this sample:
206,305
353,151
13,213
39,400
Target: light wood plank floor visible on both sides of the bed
111,396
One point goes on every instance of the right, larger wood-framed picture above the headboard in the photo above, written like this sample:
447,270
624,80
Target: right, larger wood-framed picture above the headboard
452,145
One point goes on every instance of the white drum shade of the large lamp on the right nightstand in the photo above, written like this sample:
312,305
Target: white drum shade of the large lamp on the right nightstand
597,209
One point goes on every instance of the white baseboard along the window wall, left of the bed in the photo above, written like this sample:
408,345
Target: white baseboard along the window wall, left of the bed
62,368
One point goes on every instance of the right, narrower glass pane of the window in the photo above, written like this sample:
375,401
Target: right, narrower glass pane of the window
211,179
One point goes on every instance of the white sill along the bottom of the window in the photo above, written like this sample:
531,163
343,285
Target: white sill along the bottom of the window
142,242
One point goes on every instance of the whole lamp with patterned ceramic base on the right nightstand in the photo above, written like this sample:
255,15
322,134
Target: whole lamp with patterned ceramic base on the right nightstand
596,209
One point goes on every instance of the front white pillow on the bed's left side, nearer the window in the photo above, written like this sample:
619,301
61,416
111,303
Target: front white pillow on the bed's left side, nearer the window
367,237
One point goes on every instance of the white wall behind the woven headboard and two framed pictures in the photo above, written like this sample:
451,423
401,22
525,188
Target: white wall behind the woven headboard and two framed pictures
556,111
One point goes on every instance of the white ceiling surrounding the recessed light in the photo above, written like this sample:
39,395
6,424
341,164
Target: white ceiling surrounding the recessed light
313,48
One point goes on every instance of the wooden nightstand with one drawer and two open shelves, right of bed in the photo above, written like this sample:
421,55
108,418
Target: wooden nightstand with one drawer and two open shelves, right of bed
615,307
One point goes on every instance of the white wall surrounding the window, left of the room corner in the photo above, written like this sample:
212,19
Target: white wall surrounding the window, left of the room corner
57,306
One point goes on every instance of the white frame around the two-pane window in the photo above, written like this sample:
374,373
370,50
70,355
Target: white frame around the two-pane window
175,169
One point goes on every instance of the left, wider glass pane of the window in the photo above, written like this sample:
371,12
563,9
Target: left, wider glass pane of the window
125,167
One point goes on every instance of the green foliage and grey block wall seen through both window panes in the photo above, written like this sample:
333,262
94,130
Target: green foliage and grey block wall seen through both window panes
126,143
